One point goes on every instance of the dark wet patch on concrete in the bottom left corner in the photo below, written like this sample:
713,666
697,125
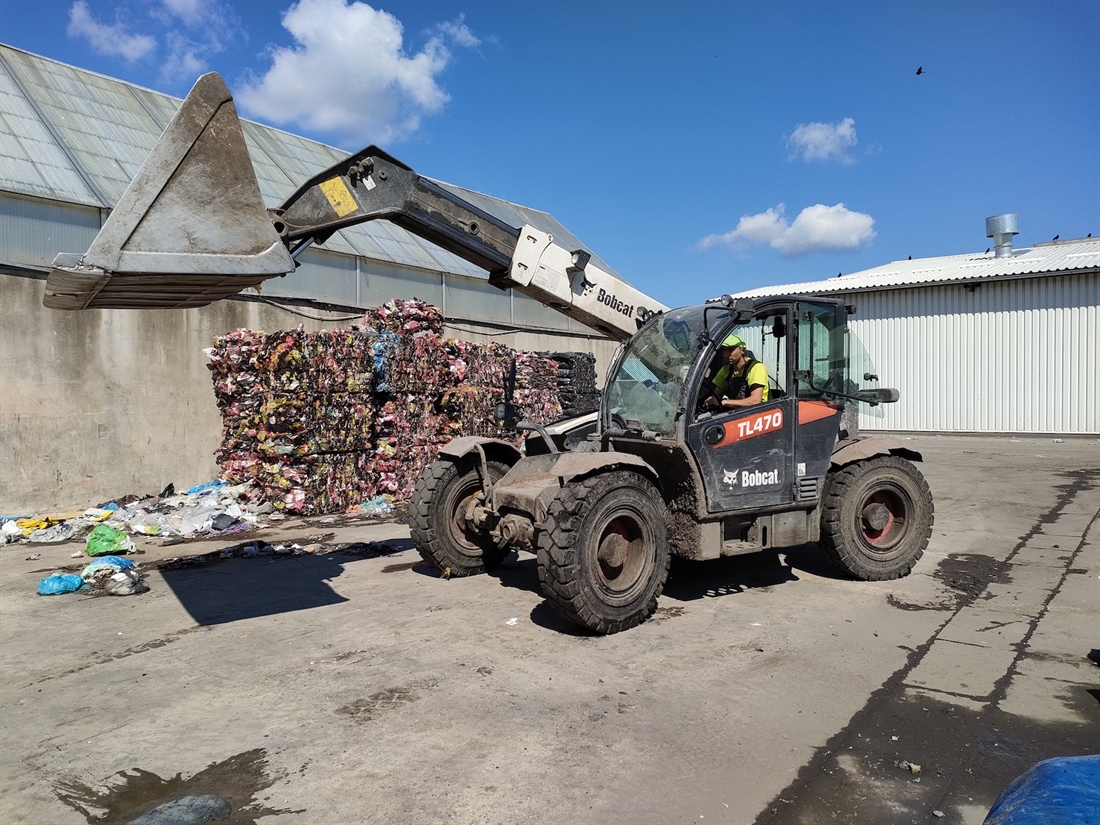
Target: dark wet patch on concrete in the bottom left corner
223,793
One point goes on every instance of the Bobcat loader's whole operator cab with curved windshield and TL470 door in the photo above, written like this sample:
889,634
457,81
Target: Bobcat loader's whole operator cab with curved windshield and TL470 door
771,455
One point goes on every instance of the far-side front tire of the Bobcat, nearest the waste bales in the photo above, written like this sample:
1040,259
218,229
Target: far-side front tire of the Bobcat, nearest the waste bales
437,518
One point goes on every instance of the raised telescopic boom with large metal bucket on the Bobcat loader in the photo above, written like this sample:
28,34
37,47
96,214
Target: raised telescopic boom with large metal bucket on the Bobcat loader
193,228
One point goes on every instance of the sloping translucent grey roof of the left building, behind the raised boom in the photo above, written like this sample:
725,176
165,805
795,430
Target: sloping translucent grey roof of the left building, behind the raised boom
81,138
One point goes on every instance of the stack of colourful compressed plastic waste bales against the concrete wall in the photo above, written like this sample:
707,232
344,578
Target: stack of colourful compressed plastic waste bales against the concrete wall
324,422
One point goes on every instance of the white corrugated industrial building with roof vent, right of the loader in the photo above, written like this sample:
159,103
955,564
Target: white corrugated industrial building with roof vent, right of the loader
1004,342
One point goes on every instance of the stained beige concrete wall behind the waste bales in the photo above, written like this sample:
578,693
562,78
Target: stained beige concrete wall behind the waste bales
100,404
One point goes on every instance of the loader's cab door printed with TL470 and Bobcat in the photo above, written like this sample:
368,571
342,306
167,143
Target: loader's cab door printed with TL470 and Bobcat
746,457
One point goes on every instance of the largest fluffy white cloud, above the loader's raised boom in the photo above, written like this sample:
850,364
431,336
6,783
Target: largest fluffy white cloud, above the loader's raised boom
349,74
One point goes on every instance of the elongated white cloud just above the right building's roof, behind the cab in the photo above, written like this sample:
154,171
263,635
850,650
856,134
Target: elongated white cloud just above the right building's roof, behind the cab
819,228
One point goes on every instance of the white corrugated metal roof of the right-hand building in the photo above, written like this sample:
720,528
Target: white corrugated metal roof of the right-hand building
1044,259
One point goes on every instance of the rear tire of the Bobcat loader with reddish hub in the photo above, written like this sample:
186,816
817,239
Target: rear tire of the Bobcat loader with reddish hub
877,519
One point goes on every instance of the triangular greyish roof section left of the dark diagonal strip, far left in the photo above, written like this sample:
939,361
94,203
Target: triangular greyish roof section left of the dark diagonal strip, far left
31,160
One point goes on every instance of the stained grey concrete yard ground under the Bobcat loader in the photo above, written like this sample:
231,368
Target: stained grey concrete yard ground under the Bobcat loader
359,687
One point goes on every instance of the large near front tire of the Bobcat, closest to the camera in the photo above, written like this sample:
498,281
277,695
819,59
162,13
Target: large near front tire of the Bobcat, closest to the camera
604,552
